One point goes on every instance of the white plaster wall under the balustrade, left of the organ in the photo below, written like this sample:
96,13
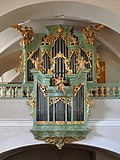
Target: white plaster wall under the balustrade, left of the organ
14,110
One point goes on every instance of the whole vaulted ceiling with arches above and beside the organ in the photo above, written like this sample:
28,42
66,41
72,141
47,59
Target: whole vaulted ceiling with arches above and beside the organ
41,13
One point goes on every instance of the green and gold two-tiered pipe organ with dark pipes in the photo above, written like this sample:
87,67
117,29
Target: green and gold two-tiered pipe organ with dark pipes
59,64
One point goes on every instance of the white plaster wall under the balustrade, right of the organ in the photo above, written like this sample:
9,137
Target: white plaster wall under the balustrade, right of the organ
105,109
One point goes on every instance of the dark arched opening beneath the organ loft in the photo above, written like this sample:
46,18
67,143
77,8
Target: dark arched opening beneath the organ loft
51,152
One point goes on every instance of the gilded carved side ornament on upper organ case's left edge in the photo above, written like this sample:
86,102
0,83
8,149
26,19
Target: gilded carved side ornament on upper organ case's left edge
20,69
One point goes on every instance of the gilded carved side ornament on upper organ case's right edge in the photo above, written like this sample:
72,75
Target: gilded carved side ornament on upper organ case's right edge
99,69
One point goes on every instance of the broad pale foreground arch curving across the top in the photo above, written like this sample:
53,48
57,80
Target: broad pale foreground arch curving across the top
95,12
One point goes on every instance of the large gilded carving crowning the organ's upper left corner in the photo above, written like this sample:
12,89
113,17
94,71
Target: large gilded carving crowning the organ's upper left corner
27,34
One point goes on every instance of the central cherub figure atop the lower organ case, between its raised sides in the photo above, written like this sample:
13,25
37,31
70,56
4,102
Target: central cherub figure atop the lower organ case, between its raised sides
59,82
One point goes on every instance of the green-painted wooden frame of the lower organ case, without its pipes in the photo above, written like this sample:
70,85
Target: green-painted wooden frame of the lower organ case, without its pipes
56,129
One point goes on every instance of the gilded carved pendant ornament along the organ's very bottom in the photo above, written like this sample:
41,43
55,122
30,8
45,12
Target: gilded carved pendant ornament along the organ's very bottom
60,141
